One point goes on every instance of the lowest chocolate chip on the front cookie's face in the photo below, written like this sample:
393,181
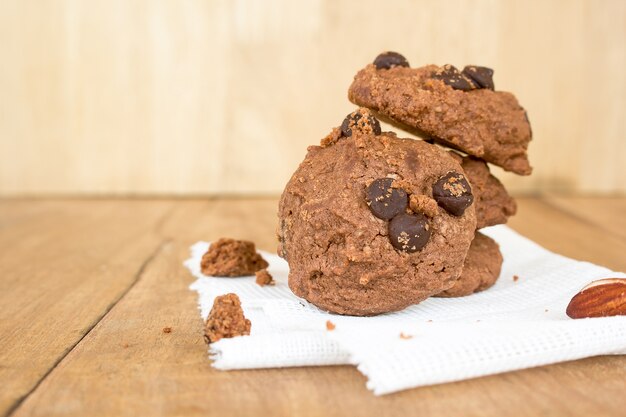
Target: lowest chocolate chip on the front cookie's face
409,232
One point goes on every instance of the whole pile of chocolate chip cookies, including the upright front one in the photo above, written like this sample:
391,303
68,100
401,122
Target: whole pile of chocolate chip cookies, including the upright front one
371,223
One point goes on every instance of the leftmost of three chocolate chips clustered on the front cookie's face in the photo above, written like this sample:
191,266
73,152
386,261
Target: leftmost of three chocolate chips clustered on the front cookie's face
385,201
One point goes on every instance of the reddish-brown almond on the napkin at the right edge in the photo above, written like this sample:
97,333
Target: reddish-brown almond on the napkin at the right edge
601,298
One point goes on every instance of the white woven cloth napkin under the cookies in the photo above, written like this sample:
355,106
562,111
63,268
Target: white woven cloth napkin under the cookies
513,325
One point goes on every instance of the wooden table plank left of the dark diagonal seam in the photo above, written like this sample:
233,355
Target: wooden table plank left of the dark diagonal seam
62,266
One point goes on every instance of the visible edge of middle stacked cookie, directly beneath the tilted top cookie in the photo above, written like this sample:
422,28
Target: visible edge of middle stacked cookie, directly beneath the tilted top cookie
493,203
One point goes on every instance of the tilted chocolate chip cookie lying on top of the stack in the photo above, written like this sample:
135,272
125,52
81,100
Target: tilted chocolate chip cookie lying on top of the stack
459,109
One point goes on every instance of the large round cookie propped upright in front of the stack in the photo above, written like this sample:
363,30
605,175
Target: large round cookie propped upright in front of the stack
344,255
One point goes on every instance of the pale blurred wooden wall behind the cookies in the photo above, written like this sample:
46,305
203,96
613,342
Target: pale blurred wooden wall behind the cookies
222,97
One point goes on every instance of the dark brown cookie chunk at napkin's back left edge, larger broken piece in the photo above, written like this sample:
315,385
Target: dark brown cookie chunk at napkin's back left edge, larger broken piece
232,258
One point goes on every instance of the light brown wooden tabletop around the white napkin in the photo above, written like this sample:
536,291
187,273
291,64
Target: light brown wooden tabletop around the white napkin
87,287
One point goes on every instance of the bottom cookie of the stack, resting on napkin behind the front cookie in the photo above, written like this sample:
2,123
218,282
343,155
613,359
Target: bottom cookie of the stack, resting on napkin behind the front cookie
480,270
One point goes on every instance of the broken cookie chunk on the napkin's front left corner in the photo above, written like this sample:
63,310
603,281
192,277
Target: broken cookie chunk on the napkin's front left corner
226,319
